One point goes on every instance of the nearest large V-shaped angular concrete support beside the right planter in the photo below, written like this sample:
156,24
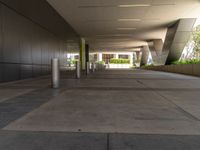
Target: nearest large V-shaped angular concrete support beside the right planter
176,39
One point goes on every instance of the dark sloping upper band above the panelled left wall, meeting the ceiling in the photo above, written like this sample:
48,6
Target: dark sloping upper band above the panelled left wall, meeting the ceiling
42,13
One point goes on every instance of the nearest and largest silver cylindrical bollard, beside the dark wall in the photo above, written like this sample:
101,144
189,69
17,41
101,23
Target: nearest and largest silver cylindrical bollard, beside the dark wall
55,73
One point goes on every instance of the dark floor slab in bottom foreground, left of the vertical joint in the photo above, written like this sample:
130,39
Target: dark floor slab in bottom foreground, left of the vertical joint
52,141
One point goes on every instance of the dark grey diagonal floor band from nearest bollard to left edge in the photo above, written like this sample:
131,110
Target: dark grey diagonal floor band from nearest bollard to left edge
16,107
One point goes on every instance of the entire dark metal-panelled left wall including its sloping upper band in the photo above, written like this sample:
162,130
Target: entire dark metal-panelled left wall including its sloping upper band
27,44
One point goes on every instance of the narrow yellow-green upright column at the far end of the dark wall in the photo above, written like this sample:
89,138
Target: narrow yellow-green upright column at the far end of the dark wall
82,54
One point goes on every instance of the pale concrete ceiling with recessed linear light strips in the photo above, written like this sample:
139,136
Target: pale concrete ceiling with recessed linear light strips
123,24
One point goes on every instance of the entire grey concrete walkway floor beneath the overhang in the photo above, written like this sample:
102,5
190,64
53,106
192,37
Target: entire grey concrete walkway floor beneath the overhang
108,110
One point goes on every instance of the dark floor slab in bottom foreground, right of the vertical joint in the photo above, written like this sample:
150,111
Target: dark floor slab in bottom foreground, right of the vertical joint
153,142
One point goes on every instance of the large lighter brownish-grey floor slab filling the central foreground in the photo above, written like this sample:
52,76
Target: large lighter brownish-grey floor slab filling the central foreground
109,111
